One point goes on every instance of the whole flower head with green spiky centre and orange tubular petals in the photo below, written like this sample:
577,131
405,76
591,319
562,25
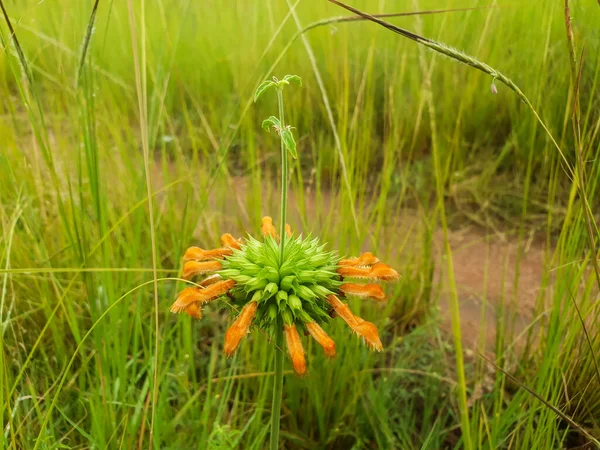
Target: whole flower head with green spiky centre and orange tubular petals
297,286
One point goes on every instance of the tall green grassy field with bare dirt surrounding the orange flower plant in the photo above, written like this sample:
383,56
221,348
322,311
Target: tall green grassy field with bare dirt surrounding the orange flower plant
129,133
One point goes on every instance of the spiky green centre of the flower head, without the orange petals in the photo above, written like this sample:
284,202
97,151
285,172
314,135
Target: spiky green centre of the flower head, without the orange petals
288,292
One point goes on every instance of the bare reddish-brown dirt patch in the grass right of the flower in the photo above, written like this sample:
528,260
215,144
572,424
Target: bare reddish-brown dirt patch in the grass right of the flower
472,253
